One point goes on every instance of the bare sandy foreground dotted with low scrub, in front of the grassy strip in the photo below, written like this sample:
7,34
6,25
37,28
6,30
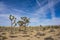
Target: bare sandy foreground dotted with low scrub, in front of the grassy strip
34,35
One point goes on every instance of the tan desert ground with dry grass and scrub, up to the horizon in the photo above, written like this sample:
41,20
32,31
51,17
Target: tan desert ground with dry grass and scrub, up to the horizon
31,33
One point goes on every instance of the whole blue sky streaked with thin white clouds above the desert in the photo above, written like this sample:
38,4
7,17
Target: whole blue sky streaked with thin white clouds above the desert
40,12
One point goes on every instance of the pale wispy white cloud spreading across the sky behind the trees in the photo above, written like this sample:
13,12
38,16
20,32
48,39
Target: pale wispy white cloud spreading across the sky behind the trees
38,17
